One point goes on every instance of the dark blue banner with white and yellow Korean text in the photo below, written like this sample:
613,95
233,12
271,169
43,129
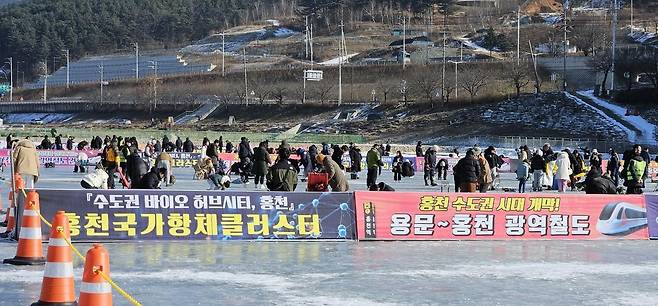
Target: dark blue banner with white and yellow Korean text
97,215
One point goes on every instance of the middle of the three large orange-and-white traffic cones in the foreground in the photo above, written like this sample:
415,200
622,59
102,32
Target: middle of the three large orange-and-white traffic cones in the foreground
57,287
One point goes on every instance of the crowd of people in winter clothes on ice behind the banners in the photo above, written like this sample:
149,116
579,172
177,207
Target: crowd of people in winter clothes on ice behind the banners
281,168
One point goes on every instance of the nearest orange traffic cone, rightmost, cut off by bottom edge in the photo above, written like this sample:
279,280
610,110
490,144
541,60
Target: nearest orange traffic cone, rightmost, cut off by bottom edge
95,291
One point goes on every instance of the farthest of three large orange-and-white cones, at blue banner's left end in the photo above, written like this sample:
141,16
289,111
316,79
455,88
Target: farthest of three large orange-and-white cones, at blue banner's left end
30,251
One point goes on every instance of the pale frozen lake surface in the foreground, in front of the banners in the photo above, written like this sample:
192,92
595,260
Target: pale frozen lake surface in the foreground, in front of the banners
369,273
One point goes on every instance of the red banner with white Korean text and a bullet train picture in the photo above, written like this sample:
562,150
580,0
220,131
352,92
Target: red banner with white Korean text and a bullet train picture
455,216
